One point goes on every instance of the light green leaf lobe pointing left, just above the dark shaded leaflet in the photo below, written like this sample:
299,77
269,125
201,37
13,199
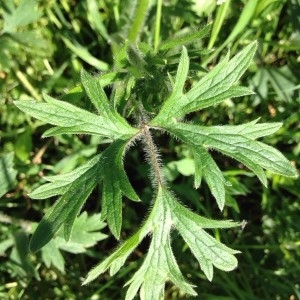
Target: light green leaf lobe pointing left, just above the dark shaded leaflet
72,119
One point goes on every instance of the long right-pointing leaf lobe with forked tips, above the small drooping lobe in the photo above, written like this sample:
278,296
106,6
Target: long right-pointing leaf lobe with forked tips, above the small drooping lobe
237,144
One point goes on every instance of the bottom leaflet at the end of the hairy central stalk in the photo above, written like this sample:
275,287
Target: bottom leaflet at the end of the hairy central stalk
160,264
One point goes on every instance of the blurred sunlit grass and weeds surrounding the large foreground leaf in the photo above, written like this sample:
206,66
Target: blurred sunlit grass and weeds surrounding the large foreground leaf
44,45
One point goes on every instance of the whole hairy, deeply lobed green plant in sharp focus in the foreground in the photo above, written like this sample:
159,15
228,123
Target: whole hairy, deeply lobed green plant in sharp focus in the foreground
166,117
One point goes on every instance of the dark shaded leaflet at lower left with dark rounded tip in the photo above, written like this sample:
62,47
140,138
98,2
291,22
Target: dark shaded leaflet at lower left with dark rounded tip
76,186
